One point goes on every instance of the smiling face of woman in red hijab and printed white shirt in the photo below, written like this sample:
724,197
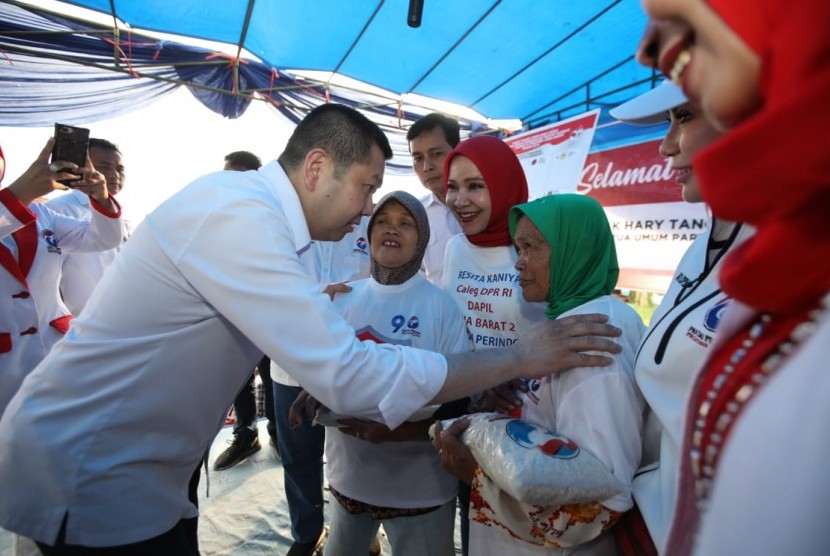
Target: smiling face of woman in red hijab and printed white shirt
468,196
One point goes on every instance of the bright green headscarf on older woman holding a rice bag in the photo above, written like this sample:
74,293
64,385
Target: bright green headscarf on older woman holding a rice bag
583,257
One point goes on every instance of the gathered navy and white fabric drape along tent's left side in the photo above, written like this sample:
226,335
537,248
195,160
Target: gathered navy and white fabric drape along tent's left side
54,68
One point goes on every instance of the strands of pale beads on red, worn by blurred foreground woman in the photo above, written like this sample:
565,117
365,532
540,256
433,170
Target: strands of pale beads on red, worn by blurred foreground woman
745,363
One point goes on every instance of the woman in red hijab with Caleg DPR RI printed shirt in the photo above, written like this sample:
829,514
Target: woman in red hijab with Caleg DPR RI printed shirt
484,180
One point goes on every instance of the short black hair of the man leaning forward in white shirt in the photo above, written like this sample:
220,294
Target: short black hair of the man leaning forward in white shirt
343,132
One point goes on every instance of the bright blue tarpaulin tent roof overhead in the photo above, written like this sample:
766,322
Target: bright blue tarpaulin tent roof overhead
521,59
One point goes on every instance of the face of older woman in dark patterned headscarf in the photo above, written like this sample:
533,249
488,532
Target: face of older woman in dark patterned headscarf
394,236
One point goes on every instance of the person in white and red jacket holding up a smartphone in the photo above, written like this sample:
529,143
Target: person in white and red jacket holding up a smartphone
32,238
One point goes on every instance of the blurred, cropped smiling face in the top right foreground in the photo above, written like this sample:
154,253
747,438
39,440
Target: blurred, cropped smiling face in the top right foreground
690,44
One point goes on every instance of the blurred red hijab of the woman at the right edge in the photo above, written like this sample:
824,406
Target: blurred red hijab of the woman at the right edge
773,170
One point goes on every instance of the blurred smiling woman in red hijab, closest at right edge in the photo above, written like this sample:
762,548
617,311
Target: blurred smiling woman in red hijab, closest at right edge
755,478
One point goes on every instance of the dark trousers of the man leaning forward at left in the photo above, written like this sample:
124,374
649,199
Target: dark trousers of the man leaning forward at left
181,540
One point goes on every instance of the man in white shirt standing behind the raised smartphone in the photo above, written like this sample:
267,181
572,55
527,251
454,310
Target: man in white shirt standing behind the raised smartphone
80,272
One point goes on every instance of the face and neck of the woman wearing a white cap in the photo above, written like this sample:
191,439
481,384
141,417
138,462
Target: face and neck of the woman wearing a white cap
688,133
